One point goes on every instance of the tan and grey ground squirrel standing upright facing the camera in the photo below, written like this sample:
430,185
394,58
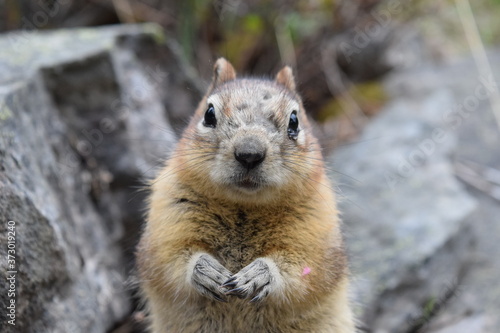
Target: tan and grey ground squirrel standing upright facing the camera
242,233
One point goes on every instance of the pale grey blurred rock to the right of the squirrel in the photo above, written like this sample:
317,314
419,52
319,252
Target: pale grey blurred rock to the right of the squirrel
423,244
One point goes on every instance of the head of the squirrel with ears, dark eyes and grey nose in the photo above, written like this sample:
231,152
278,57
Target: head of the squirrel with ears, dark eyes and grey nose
249,140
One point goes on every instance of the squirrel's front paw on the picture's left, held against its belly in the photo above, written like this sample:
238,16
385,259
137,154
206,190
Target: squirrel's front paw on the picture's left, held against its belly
207,276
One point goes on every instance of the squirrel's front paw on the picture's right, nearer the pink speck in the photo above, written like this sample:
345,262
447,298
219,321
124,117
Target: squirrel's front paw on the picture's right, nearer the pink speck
256,281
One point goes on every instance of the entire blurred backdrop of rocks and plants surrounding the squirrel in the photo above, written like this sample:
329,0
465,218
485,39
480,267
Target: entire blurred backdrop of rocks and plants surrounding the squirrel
403,96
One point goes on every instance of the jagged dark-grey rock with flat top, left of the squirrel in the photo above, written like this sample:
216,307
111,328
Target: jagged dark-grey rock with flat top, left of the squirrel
82,123
